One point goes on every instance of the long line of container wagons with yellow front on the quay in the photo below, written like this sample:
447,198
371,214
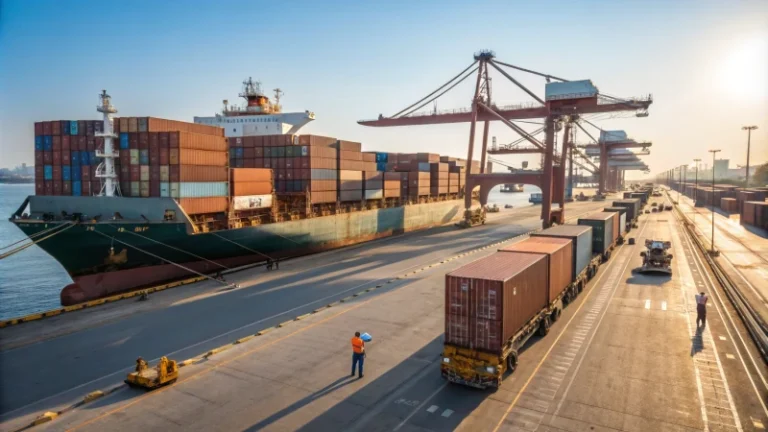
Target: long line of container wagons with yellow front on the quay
495,304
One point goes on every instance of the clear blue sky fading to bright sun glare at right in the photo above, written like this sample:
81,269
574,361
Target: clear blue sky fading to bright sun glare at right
705,63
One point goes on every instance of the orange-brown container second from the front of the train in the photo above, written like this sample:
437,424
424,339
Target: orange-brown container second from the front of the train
559,252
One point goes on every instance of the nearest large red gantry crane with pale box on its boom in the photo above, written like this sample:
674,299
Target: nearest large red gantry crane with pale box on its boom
564,102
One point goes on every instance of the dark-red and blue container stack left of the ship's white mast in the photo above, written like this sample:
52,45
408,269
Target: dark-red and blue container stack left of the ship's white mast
65,157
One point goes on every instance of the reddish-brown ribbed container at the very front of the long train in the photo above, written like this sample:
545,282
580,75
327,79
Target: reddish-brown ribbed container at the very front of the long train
489,300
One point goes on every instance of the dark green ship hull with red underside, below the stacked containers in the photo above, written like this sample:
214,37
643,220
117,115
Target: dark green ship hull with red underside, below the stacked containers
126,256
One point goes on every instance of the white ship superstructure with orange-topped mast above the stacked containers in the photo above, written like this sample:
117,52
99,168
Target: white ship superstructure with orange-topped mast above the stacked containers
259,116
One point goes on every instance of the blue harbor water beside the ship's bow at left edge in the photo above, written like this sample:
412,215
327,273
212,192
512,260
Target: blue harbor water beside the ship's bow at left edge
30,280
